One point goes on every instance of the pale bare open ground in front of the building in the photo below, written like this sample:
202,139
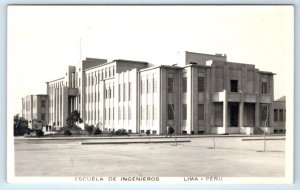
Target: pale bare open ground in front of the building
232,157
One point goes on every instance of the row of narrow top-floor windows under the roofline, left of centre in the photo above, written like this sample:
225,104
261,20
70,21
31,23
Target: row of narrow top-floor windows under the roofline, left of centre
92,79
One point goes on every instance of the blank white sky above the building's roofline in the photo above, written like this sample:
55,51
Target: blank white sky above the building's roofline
43,40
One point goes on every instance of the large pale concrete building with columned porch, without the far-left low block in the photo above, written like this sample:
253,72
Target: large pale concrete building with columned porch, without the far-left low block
206,95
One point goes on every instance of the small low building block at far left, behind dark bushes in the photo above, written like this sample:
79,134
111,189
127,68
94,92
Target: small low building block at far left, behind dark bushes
35,107
